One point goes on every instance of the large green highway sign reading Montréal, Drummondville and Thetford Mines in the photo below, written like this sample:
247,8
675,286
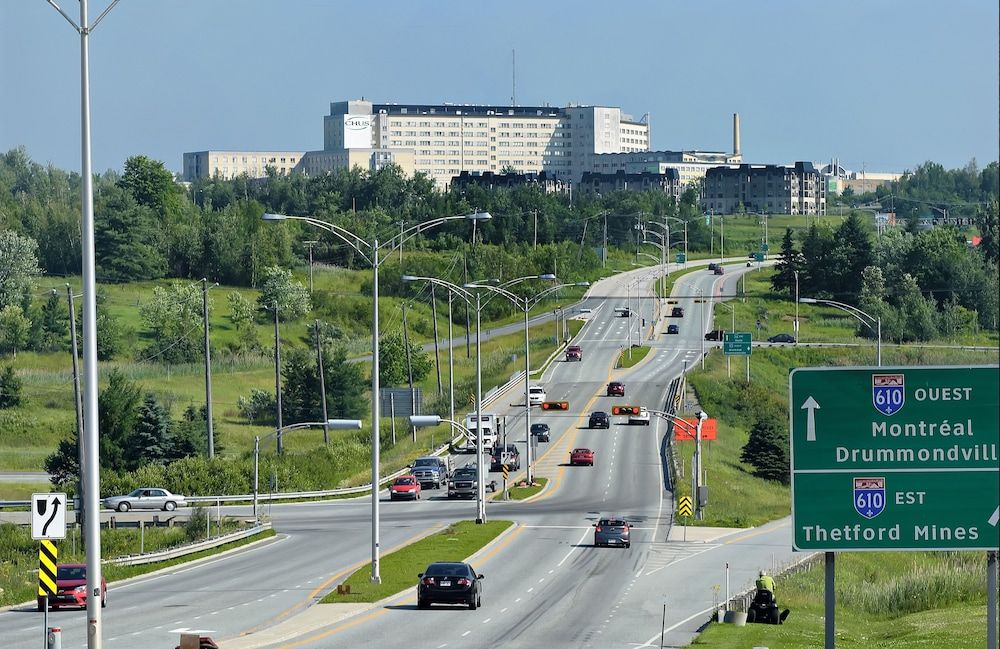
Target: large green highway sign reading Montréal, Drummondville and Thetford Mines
895,458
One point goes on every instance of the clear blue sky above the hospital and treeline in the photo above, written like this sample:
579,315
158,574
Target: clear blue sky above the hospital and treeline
886,84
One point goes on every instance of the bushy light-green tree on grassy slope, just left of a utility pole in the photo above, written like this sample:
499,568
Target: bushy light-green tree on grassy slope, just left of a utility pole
174,316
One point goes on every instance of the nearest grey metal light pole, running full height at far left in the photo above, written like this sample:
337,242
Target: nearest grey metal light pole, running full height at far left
91,470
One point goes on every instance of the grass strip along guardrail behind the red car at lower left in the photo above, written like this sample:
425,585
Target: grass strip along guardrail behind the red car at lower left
19,568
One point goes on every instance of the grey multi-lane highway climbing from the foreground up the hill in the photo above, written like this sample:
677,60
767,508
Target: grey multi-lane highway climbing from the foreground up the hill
546,585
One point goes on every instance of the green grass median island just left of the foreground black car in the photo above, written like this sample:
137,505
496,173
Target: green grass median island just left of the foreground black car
399,569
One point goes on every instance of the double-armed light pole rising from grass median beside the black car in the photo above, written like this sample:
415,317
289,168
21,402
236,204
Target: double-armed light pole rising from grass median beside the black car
369,251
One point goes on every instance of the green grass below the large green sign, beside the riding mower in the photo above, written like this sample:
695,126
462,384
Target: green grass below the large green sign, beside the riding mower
884,600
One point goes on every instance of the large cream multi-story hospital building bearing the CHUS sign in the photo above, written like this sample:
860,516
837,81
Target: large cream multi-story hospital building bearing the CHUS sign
444,140
